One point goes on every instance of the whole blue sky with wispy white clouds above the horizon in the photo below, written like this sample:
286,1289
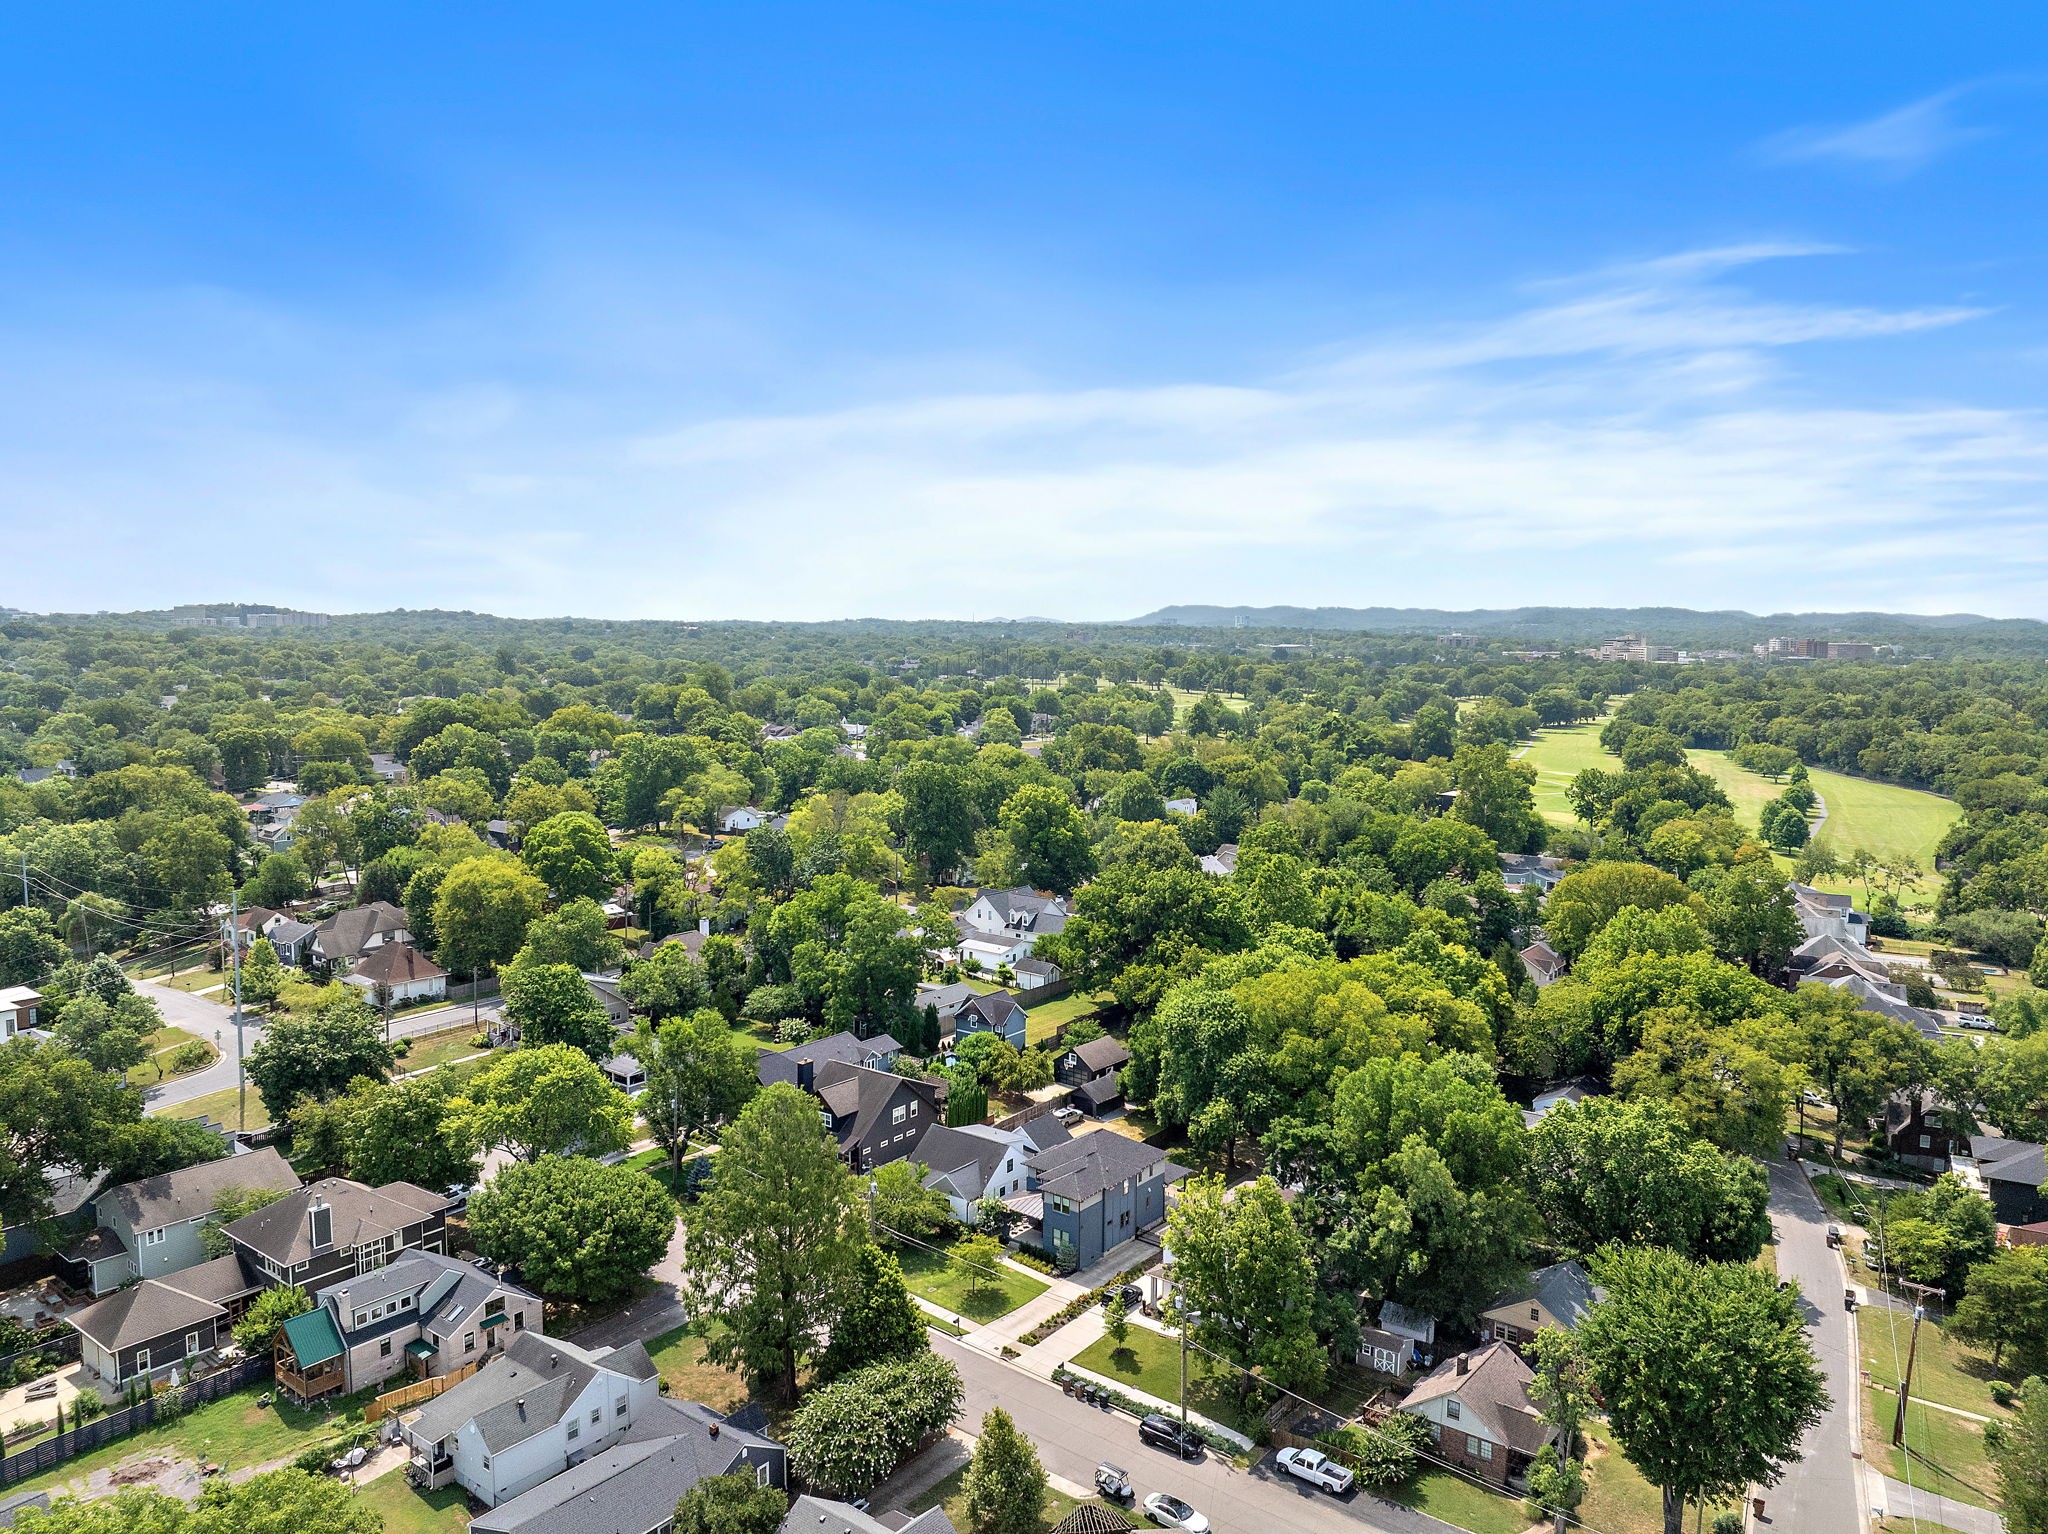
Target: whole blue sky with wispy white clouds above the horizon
966,310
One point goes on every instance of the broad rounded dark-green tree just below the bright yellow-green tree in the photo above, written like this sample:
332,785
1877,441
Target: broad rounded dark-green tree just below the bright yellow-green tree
574,1228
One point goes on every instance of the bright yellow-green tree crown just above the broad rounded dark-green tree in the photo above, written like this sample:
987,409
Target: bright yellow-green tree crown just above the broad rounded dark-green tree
546,1101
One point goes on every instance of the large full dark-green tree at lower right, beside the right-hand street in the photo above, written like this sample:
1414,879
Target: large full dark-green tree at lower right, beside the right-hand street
1707,1373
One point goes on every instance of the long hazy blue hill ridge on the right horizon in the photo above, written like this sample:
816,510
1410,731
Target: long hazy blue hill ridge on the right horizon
1666,624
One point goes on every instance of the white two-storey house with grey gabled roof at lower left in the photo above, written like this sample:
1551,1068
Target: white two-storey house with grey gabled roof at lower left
529,1416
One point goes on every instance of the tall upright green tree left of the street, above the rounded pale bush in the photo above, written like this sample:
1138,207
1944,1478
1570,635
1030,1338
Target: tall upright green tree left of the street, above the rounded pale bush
773,1238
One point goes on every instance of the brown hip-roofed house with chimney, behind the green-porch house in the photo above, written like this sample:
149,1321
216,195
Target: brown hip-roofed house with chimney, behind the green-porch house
335,1230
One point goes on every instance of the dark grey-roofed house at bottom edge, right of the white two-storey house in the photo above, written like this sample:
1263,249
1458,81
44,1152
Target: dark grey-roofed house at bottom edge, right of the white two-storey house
636,1484
